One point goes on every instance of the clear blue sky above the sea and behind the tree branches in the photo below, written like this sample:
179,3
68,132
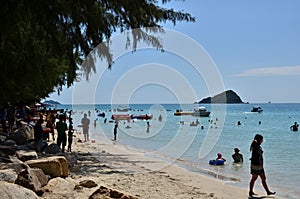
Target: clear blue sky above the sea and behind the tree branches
251,47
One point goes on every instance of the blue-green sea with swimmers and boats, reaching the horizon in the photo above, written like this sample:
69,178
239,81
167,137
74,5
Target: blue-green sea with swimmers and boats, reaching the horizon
174,140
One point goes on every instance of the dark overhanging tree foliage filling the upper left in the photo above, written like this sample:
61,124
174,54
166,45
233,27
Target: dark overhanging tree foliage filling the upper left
43,42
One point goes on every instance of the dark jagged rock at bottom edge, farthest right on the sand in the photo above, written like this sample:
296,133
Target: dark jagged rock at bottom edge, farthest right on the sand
105,193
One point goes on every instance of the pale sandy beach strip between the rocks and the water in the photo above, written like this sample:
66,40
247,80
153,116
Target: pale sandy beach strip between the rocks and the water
115,167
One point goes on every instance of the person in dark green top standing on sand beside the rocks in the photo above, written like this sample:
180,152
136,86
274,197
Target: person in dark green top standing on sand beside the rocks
61,127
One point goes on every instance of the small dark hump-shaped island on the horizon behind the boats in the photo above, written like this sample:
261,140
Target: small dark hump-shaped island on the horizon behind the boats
226,97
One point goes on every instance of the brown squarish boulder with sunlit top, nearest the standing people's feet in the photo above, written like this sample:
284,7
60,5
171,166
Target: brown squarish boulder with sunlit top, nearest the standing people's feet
56,166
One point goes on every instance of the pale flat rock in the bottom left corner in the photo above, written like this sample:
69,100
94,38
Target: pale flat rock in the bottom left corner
10,190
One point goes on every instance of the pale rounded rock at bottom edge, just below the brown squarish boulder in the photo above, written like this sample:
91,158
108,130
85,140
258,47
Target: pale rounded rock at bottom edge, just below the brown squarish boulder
59,188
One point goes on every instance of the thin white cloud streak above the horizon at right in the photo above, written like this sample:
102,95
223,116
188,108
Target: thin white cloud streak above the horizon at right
271,71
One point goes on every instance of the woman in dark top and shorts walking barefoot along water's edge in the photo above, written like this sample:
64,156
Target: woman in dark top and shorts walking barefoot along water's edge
257,168
